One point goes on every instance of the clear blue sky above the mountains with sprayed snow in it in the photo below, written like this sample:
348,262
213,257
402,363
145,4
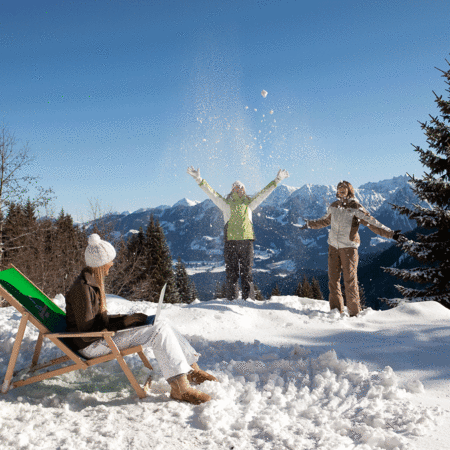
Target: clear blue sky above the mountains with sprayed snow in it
117,97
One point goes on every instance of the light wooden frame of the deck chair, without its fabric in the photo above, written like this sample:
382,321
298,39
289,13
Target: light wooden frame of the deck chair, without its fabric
77,361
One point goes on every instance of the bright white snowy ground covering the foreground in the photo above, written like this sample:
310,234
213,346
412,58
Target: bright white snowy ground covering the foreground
293,375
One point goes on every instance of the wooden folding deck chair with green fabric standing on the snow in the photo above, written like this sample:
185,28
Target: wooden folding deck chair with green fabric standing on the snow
50,320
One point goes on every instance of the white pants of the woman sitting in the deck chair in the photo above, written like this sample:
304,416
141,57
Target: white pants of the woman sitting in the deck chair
172,351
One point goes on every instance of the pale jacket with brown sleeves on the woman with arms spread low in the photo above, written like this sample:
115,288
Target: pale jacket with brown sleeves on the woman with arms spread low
345,216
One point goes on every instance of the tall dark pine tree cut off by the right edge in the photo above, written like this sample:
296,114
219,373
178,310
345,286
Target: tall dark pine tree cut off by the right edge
432,250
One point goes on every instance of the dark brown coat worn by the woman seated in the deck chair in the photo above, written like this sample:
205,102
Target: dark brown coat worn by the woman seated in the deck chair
83,310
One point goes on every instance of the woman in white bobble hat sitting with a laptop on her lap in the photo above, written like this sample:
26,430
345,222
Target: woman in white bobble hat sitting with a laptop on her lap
86,311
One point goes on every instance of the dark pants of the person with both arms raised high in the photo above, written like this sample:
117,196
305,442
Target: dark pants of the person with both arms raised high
238,257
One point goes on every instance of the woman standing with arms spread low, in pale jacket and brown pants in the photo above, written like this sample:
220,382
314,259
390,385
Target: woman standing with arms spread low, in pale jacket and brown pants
345,215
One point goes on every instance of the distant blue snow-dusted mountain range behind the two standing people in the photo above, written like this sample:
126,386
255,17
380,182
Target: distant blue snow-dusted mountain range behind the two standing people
194,230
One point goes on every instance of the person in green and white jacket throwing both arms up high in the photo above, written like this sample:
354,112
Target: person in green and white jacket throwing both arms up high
239,235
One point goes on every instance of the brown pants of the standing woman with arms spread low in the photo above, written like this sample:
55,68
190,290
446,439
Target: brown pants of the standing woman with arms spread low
343,260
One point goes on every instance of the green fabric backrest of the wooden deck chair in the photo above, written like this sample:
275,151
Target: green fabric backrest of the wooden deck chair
33,300
